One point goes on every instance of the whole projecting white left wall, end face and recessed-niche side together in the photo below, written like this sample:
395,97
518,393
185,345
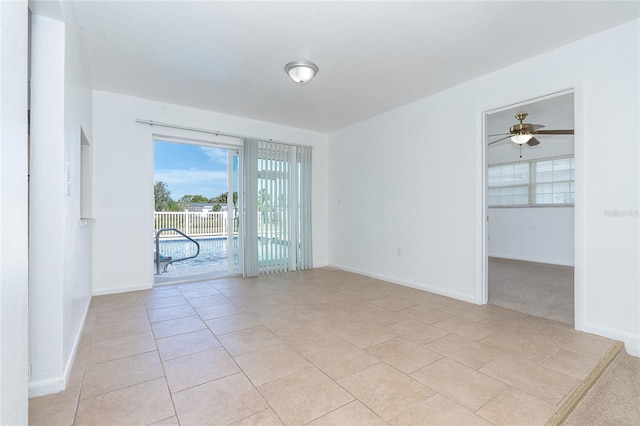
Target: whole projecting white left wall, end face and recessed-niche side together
59,243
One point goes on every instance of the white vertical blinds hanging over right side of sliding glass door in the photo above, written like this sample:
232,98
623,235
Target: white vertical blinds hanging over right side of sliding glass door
277,207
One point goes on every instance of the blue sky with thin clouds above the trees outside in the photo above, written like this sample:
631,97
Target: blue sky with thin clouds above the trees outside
190,169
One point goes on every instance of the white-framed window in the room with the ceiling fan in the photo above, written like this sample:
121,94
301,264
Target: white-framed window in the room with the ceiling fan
532,183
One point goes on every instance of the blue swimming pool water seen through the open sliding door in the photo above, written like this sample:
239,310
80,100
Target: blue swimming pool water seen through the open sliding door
212,258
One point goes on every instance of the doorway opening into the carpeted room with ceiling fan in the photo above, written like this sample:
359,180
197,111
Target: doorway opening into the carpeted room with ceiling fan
530,199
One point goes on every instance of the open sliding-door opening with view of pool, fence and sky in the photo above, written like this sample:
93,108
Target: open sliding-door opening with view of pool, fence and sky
196,211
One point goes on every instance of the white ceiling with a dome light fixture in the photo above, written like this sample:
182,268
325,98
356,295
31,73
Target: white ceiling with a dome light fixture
229,57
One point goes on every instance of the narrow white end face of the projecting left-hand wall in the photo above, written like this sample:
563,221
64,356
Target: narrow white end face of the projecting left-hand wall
47,206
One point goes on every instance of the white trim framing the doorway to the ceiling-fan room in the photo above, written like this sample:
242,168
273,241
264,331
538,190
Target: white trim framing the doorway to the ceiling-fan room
482,268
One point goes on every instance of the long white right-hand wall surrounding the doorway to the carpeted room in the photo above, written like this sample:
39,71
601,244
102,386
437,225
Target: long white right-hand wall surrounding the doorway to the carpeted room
412,178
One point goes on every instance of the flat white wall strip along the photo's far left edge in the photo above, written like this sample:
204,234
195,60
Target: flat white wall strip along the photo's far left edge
13,213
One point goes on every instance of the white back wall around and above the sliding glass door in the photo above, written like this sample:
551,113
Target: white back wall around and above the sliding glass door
123,181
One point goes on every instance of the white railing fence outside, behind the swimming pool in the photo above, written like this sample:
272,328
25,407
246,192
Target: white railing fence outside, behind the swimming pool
196,224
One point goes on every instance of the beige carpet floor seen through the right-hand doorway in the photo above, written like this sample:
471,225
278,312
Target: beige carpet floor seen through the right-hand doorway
538,289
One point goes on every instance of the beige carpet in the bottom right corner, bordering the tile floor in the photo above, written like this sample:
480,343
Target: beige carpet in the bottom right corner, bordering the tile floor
614,399
